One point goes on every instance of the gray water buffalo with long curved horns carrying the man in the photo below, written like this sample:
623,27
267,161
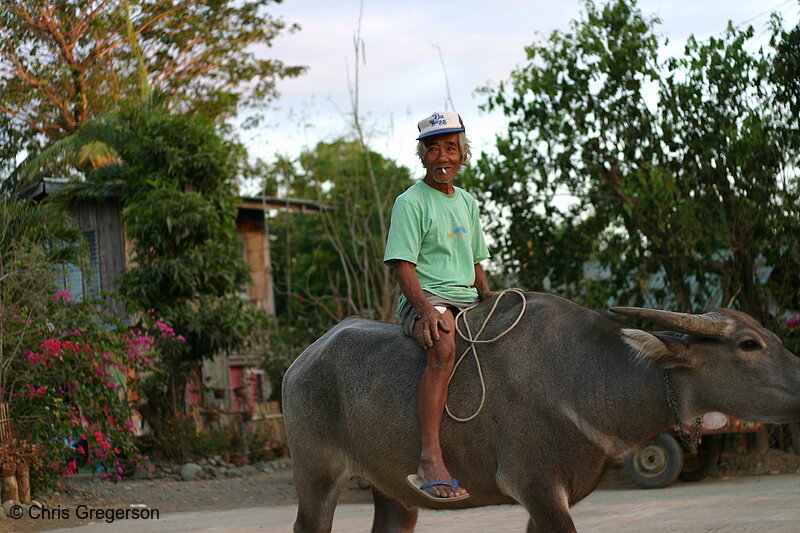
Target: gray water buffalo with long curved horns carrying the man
567,390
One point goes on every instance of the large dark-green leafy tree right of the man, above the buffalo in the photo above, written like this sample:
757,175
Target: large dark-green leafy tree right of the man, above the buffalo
683,170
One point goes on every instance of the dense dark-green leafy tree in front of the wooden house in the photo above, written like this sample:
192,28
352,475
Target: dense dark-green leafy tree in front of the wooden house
180,212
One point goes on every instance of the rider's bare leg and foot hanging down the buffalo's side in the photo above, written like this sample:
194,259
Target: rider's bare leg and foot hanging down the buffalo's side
430,405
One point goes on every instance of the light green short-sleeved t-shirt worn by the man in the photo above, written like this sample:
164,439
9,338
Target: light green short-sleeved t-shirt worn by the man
441,234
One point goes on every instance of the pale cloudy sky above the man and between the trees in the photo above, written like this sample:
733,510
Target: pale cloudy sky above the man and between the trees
417,53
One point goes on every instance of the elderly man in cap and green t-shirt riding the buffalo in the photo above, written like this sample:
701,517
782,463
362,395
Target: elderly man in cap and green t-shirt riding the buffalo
435,245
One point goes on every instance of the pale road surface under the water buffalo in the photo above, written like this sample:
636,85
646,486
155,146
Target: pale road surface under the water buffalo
766,504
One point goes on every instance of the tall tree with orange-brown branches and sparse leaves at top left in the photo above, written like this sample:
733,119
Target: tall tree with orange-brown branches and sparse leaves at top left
66,62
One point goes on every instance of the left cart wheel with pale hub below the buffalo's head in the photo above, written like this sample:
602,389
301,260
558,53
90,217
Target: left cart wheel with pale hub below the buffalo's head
656,463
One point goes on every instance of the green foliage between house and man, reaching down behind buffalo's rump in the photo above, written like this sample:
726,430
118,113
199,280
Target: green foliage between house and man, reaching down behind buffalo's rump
329,265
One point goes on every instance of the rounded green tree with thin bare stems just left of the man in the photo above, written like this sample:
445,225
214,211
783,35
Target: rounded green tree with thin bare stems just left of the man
337,174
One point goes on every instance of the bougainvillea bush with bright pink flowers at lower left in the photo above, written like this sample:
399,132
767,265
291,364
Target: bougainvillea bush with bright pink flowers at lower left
75,383
